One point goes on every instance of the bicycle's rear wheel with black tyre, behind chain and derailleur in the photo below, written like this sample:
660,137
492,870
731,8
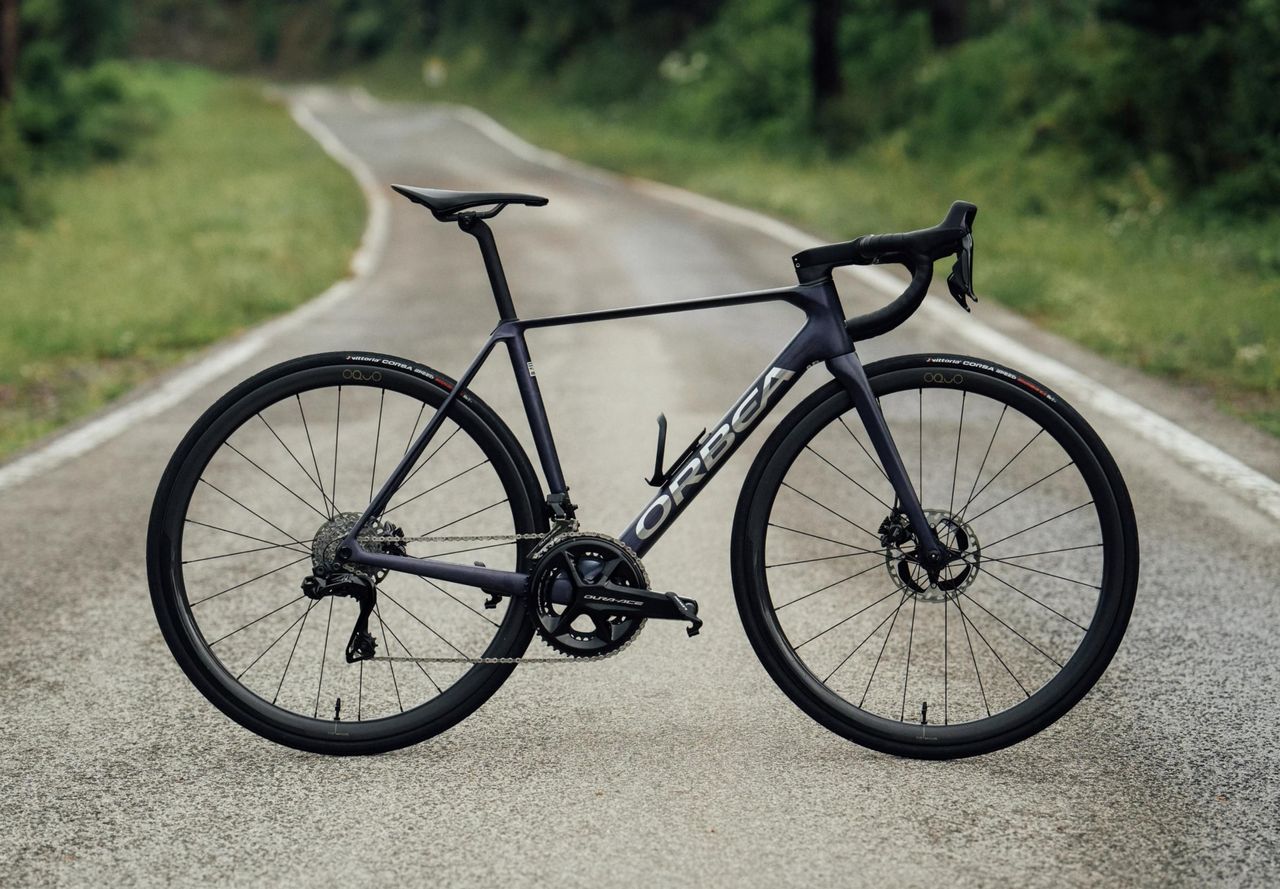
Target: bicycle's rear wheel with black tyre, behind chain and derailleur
267,483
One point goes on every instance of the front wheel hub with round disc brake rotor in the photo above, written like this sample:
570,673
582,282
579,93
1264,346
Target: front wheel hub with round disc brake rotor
954,575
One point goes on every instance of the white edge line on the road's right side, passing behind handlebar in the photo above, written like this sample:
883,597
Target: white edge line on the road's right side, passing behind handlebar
1186,447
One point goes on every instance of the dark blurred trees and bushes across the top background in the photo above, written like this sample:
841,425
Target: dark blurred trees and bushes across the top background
1185,91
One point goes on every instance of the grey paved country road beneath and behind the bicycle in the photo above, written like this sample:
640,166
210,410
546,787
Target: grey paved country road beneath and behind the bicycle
678,763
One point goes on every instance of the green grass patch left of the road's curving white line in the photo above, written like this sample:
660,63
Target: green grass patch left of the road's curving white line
226,217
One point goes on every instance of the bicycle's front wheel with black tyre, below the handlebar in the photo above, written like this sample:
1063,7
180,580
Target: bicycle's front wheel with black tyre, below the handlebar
958,662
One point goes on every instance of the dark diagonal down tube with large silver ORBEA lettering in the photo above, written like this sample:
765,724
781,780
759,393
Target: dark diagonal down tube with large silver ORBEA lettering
716,451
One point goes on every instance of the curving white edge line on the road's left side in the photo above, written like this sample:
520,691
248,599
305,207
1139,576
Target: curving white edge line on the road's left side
184,384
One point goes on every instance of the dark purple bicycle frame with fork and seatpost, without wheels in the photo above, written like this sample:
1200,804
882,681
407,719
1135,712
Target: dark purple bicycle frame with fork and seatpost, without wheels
822,338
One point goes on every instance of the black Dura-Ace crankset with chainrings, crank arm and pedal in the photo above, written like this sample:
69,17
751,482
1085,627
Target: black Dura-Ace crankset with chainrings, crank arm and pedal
589,597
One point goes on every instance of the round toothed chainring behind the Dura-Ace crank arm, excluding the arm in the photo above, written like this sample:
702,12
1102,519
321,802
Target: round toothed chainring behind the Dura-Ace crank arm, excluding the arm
597,558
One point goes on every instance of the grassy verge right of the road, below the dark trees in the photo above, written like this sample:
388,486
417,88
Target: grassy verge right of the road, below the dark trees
1158,290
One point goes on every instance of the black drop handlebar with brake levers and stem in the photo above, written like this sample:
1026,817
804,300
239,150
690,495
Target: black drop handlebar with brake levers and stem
918,251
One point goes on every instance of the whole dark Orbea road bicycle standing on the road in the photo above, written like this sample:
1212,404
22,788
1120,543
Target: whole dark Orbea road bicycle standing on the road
932,556
